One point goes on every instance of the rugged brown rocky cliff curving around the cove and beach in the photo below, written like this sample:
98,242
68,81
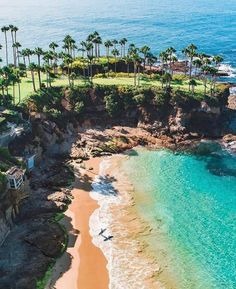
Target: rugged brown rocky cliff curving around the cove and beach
35,238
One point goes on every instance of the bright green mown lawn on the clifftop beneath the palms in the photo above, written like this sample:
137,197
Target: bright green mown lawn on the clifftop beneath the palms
27,88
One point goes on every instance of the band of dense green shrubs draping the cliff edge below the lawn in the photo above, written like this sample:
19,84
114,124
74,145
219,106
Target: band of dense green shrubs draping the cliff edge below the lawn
117,100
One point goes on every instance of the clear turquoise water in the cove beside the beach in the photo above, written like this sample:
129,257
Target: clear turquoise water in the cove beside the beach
190,202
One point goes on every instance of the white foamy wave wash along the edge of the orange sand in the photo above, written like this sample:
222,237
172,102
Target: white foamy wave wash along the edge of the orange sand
126,266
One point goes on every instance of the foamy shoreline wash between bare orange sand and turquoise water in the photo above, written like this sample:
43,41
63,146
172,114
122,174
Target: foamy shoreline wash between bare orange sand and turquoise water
118,217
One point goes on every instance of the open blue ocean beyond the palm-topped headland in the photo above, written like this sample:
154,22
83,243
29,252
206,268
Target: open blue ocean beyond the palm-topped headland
159,23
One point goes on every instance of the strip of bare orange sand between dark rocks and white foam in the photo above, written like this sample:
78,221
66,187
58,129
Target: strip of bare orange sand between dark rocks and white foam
83,265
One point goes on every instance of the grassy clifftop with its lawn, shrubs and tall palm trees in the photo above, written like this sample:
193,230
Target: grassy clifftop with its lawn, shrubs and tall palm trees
94,61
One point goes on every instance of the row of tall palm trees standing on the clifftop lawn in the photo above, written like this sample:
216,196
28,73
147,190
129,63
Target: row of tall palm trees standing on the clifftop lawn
59,60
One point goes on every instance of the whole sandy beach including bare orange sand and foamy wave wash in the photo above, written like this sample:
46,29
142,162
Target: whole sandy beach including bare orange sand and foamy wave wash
103,198
